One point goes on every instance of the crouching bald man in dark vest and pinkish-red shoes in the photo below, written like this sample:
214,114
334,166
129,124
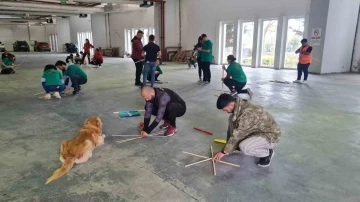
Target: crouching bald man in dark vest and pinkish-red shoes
164,104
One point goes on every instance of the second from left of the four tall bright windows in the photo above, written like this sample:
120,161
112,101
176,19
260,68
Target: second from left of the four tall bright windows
247,37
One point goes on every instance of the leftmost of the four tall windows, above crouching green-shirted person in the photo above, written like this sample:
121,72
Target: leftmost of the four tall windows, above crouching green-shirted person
228,39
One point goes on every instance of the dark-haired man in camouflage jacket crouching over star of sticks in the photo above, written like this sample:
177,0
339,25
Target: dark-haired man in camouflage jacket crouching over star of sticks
251,129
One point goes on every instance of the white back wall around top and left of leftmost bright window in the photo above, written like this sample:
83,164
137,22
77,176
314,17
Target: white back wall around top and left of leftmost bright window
79,25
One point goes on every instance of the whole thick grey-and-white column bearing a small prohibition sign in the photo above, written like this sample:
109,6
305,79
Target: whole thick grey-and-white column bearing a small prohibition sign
336,21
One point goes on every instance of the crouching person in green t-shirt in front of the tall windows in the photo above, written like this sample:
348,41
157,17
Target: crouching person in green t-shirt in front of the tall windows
238,77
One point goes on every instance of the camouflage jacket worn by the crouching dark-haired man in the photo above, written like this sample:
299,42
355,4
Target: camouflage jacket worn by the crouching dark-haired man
250,120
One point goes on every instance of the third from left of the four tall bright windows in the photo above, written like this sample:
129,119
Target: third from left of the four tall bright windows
268,42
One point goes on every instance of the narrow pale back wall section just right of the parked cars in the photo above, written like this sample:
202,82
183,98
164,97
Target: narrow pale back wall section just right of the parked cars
63,31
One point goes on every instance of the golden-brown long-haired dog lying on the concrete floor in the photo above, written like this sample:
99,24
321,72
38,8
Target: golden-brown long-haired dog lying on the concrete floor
79,149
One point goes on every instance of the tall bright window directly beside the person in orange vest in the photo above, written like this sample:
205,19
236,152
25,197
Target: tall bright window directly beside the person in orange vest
295,32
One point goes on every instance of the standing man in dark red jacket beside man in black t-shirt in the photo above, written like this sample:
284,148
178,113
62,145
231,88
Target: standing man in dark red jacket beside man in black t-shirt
137,49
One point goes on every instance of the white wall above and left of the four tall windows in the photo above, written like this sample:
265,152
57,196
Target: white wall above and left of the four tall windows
203,16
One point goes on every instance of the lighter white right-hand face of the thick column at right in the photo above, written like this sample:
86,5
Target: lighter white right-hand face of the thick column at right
340,34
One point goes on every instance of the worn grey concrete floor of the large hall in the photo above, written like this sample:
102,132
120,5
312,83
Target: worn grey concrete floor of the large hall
317,158
